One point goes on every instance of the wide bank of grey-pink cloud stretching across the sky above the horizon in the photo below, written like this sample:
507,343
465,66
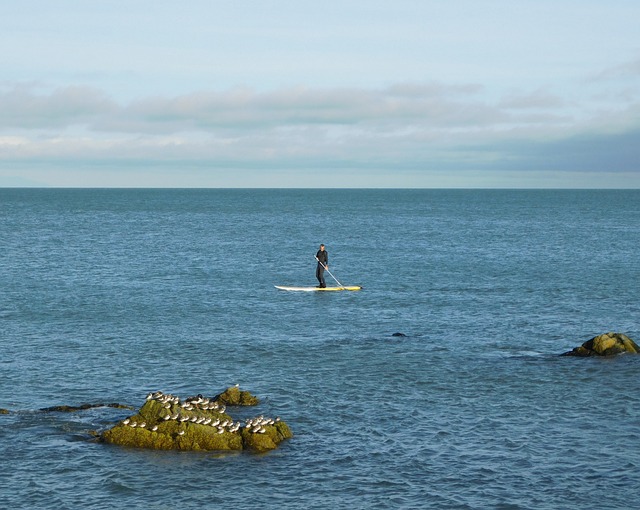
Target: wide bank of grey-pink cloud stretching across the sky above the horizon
419,127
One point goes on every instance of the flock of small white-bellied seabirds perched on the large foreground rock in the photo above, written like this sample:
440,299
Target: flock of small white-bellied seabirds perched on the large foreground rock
254,425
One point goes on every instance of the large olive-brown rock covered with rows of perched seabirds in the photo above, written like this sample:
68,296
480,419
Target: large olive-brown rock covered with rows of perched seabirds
167,423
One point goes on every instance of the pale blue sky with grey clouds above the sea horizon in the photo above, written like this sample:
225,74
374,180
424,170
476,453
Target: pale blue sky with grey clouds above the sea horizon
332,94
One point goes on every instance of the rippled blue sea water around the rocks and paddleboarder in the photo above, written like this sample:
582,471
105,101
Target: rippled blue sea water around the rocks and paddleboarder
106,295
